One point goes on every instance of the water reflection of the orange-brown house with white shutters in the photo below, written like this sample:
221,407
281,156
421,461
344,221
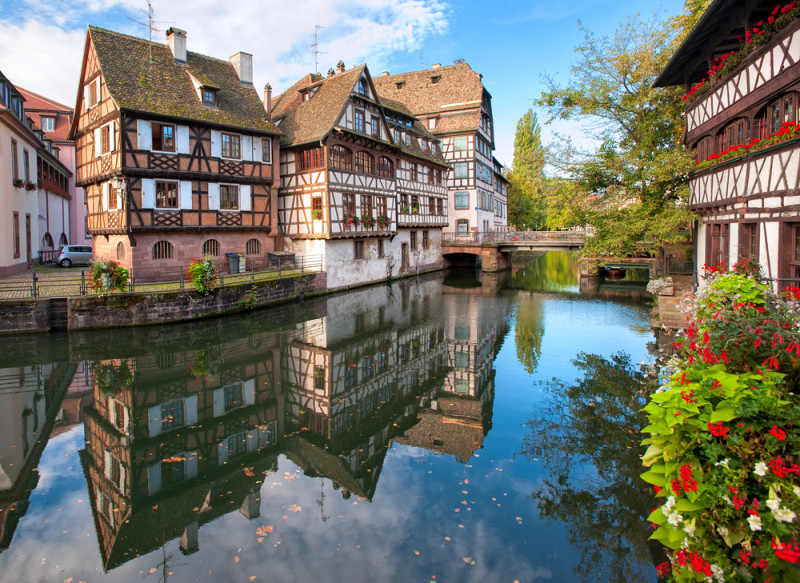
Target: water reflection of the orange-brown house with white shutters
161,442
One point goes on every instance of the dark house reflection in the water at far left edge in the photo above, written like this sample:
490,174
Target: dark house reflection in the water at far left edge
31,397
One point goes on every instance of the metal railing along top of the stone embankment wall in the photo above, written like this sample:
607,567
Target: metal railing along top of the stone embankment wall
38,284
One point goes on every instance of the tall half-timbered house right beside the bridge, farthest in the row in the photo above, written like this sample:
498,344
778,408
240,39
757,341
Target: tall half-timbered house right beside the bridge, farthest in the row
452,103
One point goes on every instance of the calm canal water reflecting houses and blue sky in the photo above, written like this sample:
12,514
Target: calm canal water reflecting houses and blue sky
454,427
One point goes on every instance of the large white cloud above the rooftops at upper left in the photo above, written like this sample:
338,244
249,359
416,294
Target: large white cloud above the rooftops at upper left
42,44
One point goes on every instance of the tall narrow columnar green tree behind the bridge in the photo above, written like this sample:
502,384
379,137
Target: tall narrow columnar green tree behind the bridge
526,195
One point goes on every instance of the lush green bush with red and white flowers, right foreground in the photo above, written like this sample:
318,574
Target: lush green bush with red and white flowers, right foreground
724,446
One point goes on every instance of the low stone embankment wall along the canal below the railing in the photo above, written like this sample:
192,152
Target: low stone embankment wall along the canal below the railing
119,310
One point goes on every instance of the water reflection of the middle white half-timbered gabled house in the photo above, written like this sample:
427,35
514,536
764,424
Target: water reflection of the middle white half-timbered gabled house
354,379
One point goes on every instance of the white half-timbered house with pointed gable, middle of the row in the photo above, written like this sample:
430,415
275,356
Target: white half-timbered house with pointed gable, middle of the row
362,181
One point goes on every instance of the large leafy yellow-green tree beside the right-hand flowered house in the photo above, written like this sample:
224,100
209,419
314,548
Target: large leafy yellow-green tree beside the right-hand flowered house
637,177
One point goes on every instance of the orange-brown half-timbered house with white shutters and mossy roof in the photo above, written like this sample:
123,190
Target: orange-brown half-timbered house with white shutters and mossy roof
175,152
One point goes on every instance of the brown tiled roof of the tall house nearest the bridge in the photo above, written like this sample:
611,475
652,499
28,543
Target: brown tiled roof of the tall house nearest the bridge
458,87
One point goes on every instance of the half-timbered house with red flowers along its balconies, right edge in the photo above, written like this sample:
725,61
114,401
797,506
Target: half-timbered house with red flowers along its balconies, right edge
740,66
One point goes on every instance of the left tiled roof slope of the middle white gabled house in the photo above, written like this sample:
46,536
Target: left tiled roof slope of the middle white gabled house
308,121
